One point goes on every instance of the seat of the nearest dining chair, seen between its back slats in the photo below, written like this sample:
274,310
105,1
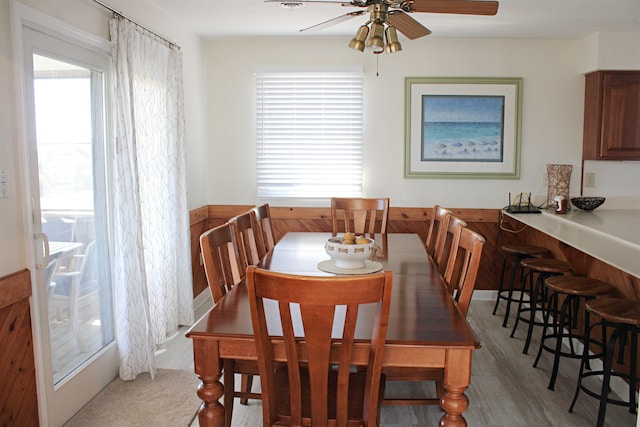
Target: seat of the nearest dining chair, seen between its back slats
356,395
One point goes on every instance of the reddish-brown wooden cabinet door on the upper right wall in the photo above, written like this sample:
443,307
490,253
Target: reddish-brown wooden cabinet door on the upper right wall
620,116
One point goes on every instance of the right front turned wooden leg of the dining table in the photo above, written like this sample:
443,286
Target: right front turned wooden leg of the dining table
457,377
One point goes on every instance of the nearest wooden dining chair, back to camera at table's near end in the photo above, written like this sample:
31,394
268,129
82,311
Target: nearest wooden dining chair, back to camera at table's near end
316,385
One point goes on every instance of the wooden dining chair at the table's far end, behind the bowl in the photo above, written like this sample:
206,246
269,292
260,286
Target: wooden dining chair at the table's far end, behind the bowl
359,216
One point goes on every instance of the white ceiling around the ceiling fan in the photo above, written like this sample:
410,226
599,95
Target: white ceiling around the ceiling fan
515,18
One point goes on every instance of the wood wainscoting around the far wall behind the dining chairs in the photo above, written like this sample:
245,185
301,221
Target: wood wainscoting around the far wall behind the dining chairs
401,220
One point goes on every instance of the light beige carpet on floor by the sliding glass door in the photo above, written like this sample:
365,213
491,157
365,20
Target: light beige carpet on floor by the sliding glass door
168,400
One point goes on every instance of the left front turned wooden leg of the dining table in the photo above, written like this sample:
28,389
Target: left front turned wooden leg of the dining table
208,367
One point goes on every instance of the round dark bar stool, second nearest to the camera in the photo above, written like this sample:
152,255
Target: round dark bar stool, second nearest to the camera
575,289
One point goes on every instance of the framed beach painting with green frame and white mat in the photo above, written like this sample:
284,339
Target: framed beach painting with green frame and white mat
463,127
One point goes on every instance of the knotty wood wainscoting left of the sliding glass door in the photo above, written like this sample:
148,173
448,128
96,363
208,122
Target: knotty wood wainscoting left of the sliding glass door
18,396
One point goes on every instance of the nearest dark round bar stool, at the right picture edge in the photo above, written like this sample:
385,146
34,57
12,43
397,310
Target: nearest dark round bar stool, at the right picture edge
624,316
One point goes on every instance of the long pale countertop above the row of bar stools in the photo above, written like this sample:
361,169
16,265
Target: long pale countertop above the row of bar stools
610,235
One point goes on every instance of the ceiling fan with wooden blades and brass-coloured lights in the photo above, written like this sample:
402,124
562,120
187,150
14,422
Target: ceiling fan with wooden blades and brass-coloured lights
387,16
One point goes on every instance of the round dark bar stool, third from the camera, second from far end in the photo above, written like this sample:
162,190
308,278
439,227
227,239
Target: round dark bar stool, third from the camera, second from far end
543,267
